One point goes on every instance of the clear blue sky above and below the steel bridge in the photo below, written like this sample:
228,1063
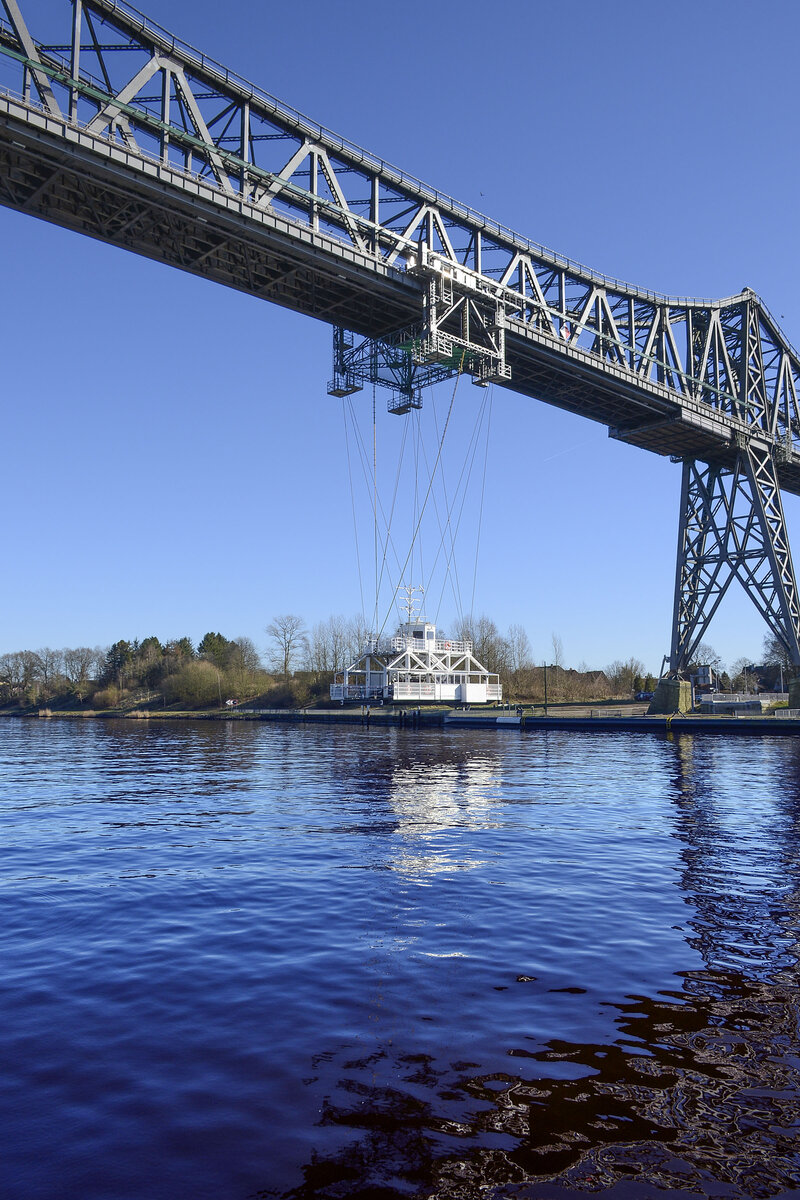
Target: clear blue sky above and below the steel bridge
172,461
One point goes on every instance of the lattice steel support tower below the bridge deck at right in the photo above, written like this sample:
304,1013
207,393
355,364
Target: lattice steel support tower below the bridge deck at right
732,526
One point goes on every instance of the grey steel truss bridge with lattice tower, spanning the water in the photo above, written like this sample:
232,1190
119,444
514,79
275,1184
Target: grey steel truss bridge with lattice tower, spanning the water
123,133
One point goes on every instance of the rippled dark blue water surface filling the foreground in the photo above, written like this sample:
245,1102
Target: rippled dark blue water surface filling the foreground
248,961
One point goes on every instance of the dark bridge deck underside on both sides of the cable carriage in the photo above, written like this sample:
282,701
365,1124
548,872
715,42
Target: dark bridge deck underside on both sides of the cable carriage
276,260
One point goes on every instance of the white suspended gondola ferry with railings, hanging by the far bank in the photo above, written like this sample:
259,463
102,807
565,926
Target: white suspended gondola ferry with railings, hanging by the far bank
418,667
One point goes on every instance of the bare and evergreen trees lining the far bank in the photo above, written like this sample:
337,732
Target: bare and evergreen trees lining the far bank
298,664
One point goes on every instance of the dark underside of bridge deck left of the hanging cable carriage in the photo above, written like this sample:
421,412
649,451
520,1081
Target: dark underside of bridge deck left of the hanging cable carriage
106,202
